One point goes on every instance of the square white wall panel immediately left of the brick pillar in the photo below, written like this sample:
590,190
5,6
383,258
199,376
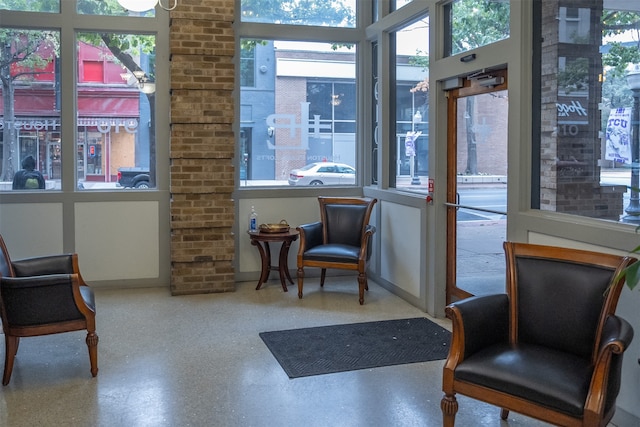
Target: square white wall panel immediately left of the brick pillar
117,240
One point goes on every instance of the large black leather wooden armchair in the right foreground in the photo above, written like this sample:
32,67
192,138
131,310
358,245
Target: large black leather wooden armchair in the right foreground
551,348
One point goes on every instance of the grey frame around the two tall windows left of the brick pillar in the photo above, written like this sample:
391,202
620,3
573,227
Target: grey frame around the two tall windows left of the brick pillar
68,22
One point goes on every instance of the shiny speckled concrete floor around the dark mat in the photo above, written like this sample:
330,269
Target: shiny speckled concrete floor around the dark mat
198,361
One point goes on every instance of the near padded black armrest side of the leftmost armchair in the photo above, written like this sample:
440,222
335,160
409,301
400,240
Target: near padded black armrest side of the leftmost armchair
31,301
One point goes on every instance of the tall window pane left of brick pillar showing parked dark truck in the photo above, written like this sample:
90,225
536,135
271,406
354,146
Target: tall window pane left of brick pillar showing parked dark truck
116,137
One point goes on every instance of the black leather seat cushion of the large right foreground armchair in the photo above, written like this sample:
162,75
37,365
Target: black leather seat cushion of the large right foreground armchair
551,378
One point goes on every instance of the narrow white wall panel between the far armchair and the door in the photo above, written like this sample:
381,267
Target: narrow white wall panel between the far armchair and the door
400,233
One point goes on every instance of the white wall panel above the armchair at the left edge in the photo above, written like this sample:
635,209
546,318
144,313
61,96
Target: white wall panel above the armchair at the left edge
32,229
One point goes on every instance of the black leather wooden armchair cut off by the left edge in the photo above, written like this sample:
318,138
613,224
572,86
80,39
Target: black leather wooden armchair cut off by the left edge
42,296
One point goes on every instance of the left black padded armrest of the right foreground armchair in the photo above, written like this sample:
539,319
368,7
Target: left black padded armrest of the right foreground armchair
478,322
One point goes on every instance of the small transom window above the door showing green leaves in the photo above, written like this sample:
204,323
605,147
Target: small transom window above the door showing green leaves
475,23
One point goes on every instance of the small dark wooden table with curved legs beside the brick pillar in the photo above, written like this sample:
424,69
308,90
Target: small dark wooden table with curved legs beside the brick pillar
261,241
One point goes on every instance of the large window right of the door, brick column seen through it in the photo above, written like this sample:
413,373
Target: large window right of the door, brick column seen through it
588,87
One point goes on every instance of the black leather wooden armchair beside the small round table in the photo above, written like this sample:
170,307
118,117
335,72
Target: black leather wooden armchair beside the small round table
341,239
